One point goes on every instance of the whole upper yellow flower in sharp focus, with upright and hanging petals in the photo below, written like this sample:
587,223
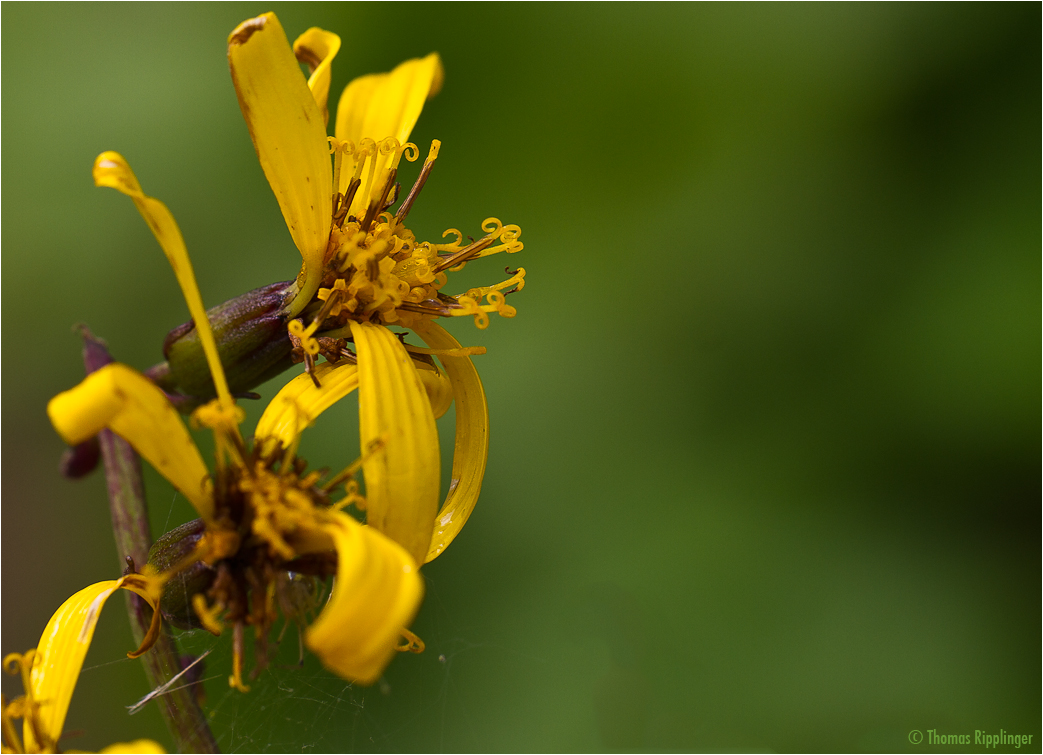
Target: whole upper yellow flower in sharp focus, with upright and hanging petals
365,270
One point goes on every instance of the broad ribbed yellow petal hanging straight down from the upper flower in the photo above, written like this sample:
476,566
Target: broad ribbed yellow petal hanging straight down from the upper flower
403,479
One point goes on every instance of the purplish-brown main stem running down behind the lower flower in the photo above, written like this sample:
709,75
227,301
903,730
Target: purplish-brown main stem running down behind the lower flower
127,502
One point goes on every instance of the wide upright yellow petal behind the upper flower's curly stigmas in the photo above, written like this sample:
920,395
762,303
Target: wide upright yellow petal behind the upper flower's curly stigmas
382,106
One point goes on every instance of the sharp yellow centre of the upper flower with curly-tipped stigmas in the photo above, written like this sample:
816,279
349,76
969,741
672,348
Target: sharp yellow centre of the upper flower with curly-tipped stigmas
377,272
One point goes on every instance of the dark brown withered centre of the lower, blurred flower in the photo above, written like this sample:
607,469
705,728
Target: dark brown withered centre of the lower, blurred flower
265,548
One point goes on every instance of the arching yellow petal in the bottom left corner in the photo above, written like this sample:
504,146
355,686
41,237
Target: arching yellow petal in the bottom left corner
60,657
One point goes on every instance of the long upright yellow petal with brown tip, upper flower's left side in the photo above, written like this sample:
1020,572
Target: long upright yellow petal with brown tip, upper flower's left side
289,135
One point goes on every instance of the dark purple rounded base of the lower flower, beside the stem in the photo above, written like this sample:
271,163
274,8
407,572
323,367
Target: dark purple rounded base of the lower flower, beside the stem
172,548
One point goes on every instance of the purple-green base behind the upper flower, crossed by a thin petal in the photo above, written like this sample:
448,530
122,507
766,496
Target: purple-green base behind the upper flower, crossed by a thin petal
252,342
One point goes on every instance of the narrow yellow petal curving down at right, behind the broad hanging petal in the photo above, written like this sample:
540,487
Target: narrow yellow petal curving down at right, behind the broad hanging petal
472,440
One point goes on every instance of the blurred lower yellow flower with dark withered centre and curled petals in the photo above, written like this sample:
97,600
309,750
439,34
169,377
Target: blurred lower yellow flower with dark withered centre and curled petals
263,516
